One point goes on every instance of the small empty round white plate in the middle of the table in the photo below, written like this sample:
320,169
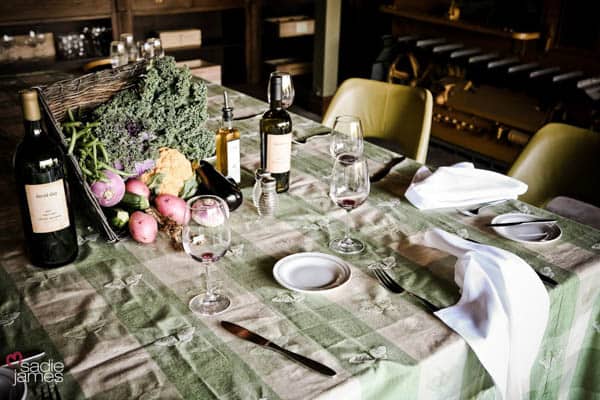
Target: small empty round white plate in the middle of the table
311,272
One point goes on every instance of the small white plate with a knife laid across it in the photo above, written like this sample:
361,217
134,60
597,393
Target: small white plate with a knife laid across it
530,233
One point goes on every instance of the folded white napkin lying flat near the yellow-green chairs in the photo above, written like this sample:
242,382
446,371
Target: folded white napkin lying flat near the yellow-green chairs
460,185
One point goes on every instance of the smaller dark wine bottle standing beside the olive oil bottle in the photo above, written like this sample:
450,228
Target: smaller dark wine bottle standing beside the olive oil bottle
276,139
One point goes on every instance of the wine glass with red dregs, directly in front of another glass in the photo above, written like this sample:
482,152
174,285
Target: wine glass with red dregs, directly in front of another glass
349,188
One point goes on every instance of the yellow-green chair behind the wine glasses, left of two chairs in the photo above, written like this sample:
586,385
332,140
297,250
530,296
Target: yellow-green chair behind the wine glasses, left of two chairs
396,113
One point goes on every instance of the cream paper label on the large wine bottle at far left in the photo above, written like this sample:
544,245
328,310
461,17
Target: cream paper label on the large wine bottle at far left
47,205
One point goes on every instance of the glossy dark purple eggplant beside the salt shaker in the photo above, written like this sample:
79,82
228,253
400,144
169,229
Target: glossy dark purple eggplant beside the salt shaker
214,183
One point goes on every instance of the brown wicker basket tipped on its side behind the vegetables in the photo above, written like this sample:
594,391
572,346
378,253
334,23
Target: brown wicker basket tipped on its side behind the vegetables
87,91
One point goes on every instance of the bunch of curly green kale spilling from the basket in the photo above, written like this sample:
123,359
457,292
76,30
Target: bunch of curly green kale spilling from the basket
167,108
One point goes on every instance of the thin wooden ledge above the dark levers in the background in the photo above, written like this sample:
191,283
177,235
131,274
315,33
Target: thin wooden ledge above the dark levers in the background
466,26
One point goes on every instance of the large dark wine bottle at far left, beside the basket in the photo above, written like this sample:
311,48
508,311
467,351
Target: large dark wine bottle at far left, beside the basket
48,223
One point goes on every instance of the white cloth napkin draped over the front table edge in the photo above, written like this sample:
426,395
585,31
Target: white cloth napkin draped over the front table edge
502,313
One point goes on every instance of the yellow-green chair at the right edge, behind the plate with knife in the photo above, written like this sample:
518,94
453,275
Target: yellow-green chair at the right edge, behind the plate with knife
560,160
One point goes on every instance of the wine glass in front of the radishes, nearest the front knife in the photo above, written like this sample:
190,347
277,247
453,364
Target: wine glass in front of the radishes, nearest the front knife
206,237
